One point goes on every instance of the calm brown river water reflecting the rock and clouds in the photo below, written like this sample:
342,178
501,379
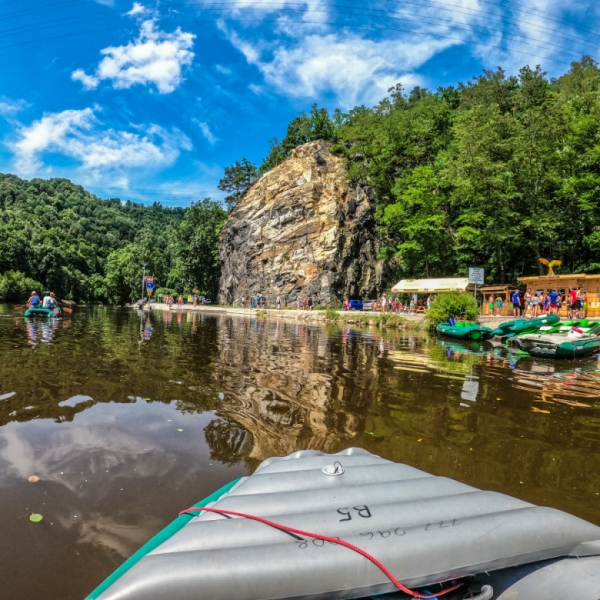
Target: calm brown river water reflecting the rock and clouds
128,418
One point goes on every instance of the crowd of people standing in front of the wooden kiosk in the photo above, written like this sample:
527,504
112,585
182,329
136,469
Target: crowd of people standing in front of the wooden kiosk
542,303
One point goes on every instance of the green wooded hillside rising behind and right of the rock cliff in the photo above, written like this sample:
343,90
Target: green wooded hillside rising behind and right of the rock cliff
497,172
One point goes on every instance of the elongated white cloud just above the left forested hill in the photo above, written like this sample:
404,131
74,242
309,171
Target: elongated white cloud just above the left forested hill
80,136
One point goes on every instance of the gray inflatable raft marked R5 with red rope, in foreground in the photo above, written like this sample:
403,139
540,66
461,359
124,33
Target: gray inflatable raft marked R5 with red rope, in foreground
426,530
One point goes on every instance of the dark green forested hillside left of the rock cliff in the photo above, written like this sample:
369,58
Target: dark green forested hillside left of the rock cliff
55,235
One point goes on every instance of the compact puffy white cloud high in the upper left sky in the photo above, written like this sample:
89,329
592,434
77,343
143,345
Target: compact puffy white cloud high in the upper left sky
155,57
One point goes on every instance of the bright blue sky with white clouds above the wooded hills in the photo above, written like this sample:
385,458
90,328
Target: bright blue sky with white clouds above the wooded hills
151,100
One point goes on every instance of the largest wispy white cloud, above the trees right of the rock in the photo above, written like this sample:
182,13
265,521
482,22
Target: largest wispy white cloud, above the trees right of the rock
316,51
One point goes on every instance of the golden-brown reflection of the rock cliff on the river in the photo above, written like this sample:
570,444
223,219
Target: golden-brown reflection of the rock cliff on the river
283,383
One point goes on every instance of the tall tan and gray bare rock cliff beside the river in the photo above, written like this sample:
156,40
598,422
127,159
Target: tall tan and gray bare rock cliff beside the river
299,231
